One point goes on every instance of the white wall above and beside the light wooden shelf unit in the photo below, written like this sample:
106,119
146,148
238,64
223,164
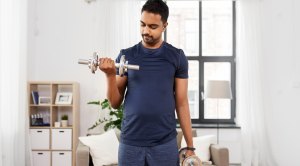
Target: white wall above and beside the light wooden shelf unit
61,32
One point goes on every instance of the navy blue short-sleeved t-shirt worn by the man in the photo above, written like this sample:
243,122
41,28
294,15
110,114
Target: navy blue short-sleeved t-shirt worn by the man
149,104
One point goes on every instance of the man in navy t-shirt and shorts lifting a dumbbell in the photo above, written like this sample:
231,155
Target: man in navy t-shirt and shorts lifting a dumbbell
148,134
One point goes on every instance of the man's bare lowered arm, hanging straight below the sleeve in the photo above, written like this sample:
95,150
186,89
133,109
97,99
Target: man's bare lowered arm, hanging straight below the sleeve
183,112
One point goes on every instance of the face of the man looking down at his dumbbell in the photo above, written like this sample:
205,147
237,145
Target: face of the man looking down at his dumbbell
152,28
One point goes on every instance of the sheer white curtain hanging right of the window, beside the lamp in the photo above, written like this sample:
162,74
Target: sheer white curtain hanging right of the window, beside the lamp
250,104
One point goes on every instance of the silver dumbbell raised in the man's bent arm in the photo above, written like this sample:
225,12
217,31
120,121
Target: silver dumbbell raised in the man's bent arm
93,64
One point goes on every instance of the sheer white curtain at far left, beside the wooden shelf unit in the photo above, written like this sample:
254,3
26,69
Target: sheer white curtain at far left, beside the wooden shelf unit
12,82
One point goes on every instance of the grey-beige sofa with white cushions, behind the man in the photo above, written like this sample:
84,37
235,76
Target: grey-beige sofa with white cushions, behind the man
219,155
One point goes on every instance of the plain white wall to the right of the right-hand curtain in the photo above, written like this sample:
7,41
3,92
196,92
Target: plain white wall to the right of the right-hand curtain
281,39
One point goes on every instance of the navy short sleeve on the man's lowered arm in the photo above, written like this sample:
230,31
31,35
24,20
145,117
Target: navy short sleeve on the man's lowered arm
182,68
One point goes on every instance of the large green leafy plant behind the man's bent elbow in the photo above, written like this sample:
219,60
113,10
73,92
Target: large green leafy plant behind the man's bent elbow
115,119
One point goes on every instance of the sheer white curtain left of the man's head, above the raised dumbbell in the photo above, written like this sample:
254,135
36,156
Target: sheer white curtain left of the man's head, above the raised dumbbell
119,22
